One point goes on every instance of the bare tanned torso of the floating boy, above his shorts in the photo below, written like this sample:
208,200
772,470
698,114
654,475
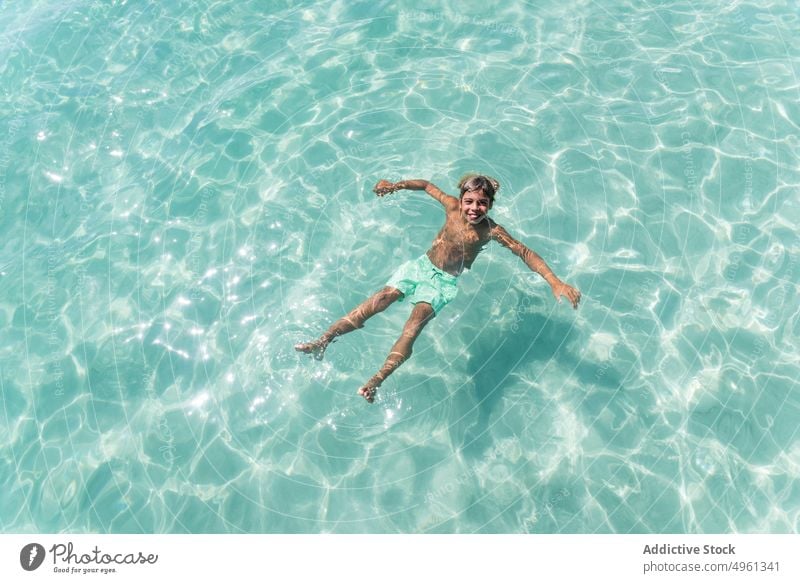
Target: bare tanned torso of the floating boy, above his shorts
458,243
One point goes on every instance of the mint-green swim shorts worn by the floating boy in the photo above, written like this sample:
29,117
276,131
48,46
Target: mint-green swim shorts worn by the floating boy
419,280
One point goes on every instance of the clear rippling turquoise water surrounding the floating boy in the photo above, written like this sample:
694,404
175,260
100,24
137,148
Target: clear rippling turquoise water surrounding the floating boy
186,193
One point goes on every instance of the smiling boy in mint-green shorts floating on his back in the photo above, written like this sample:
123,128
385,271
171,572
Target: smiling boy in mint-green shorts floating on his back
430,281
